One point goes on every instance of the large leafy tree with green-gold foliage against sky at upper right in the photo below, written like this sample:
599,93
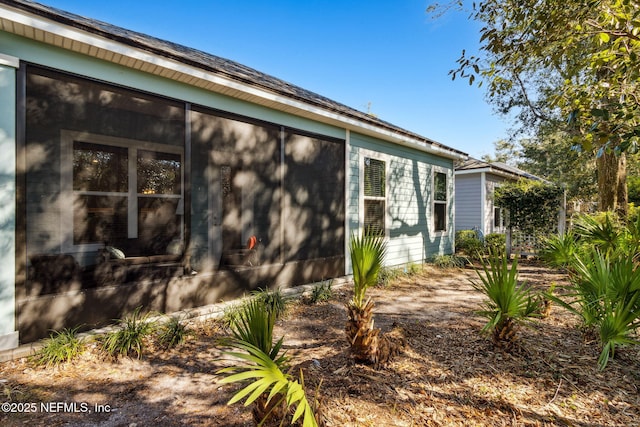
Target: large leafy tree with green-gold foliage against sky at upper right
574,66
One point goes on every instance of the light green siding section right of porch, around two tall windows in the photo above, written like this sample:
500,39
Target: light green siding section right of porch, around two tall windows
409,199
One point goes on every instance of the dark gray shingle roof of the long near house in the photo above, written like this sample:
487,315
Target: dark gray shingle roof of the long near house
212,63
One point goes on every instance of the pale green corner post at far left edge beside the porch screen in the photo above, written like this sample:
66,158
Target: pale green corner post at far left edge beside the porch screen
8,335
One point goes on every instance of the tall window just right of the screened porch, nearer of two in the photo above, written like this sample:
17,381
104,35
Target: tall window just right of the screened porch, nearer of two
374,196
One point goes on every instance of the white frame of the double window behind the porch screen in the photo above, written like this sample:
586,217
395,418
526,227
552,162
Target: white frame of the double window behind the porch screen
67,193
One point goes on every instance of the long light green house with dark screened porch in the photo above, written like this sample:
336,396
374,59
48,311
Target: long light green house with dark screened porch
137,172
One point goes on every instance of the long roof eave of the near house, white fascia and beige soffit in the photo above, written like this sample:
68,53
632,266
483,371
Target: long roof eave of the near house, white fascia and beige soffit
47,30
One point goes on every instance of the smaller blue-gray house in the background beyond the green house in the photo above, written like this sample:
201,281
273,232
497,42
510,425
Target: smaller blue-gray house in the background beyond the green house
475,184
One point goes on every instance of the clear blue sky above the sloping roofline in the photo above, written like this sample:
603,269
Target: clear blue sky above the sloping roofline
386,57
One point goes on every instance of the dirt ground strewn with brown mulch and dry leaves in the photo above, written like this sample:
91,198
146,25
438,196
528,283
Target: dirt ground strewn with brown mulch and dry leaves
448,374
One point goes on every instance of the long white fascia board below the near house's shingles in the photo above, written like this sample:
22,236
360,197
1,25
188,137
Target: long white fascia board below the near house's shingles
334,118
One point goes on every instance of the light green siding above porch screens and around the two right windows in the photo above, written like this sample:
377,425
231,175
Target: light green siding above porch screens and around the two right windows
409,199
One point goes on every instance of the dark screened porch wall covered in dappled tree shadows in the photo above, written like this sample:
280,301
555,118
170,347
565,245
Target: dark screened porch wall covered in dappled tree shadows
245,178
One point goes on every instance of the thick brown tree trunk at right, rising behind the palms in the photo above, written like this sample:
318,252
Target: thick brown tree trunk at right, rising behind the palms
612,183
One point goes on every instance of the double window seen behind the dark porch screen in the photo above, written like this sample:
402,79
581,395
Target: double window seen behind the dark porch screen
123,191
